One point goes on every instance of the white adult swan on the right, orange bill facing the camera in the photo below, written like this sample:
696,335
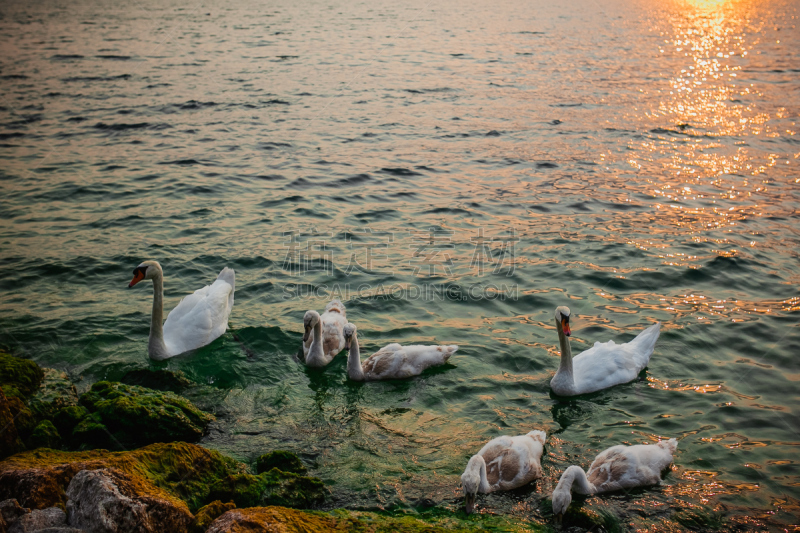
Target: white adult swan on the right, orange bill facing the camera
603,365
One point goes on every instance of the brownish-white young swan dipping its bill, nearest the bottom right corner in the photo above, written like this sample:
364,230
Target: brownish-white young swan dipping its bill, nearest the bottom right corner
619,467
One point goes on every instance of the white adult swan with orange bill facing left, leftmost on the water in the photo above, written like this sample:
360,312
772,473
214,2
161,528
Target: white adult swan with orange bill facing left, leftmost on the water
197,320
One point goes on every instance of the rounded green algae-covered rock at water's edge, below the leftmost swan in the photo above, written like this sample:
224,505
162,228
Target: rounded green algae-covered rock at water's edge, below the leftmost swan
137,416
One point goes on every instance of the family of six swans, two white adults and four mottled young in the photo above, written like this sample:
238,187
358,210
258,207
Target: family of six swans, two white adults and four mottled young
504,463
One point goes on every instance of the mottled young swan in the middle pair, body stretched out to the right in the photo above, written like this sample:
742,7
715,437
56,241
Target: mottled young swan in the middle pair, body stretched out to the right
392,361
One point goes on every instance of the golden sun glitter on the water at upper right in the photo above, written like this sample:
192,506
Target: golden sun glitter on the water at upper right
717,118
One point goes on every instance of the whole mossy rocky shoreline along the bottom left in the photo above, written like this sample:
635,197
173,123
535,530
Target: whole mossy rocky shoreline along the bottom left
120,458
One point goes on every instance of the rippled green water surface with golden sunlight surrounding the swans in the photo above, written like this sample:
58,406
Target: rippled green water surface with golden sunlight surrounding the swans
637,161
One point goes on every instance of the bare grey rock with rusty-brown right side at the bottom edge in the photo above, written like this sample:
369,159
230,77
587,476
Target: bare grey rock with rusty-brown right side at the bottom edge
110,501
